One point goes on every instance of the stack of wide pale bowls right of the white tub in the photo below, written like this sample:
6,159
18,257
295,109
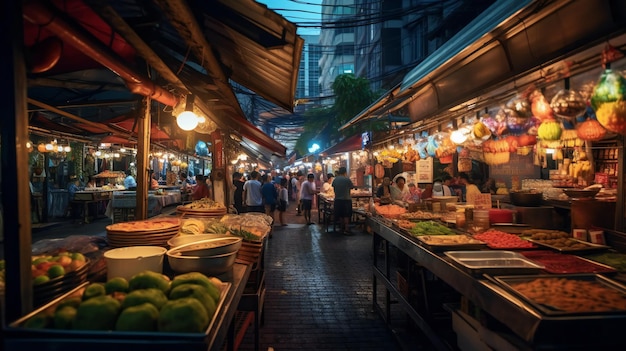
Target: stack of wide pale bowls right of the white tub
211,256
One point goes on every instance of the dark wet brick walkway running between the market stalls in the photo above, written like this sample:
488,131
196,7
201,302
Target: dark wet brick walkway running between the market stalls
319,291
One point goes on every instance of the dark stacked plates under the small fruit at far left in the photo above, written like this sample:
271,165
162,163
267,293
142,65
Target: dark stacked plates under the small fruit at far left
53,288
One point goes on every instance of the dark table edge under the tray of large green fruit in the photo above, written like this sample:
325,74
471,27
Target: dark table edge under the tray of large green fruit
18,338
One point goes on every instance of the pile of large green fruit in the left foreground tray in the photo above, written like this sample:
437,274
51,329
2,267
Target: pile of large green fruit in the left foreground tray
148,302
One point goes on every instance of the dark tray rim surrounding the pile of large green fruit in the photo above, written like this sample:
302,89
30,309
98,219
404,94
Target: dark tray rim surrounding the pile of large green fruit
120,341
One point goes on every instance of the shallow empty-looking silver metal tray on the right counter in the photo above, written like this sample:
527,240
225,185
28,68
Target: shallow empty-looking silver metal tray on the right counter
494,262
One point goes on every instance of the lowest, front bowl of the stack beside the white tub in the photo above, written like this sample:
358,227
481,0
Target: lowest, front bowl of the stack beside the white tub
209,265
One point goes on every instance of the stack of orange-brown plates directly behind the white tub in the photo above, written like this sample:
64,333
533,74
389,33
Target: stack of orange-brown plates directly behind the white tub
142,233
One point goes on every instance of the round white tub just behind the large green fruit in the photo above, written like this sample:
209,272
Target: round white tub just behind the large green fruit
125,262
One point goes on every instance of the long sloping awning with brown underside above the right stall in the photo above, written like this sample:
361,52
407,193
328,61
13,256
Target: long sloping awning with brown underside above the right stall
501,46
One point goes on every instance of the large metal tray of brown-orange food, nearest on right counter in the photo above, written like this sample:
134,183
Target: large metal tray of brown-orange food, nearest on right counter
578,295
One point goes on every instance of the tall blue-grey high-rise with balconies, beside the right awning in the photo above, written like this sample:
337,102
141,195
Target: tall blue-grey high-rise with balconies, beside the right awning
388,37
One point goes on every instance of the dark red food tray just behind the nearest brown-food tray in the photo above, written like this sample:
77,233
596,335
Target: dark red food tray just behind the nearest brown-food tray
558,263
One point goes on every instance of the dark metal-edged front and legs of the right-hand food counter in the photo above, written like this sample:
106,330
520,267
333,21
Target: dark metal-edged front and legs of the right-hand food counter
531,328
